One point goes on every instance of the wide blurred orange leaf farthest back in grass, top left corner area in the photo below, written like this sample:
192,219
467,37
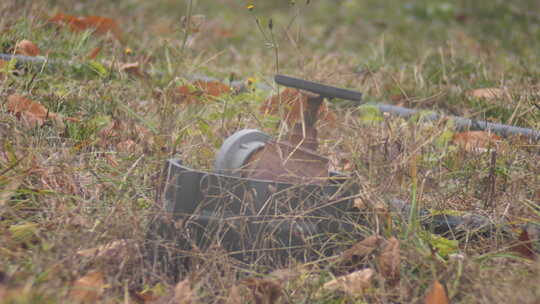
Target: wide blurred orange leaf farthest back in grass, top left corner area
100,25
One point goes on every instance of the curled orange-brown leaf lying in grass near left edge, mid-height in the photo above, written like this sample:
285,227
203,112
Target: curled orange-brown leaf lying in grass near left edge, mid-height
30,111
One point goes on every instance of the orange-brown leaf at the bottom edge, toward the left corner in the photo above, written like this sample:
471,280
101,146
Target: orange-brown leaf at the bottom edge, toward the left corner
88,289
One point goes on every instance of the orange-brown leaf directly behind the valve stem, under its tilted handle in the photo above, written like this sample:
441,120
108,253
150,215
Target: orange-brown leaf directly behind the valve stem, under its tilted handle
293,102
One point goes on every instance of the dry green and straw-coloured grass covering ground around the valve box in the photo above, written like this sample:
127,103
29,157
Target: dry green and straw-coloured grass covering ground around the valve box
86,183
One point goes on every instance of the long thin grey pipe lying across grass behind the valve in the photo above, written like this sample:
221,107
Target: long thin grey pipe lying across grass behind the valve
460,122
